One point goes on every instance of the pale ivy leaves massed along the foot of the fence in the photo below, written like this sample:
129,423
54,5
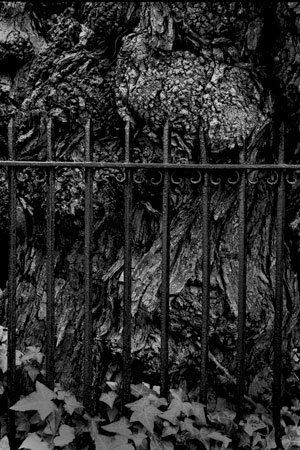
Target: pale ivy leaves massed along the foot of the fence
48,420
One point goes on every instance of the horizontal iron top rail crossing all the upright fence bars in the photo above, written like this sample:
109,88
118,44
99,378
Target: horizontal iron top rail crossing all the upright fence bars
150,165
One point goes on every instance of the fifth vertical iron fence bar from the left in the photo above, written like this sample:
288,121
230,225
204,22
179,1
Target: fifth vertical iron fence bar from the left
164,355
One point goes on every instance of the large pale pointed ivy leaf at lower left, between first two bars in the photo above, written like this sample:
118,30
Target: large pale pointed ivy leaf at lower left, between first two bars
39,400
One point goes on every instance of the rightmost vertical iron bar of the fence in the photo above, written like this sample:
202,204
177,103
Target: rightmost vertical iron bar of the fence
280,224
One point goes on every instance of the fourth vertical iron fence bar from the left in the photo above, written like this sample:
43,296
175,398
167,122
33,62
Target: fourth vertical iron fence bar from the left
127,272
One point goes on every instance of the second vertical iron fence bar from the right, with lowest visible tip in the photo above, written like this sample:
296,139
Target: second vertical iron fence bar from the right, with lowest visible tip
241,289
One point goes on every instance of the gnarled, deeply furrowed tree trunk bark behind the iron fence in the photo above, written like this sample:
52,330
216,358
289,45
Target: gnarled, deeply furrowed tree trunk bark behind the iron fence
232,68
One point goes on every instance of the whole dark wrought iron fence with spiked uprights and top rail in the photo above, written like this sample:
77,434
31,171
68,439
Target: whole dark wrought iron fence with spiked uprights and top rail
204,170
